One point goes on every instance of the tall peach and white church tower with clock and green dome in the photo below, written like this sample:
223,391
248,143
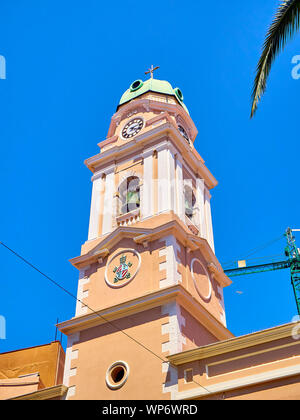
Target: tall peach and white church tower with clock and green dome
150,284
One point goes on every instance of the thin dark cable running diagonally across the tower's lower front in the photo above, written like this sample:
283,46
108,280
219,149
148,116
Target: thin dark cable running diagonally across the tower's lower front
95,312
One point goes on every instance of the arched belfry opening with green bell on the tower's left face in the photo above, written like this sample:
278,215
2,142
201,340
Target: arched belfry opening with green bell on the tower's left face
129,194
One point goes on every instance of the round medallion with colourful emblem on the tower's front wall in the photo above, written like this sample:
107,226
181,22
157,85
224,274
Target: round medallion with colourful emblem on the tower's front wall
122,268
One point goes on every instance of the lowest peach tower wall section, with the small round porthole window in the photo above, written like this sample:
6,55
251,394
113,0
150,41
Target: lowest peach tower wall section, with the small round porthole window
144,342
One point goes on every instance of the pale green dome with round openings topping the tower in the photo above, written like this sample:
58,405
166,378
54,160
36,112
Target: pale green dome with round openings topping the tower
138,88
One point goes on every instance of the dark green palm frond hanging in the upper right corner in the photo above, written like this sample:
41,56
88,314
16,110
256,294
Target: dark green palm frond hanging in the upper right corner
286,22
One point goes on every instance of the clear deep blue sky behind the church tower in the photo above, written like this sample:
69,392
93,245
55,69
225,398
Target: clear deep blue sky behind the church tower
68,64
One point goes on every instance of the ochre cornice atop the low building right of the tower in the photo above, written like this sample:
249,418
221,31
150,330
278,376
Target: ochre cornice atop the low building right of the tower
233,344
